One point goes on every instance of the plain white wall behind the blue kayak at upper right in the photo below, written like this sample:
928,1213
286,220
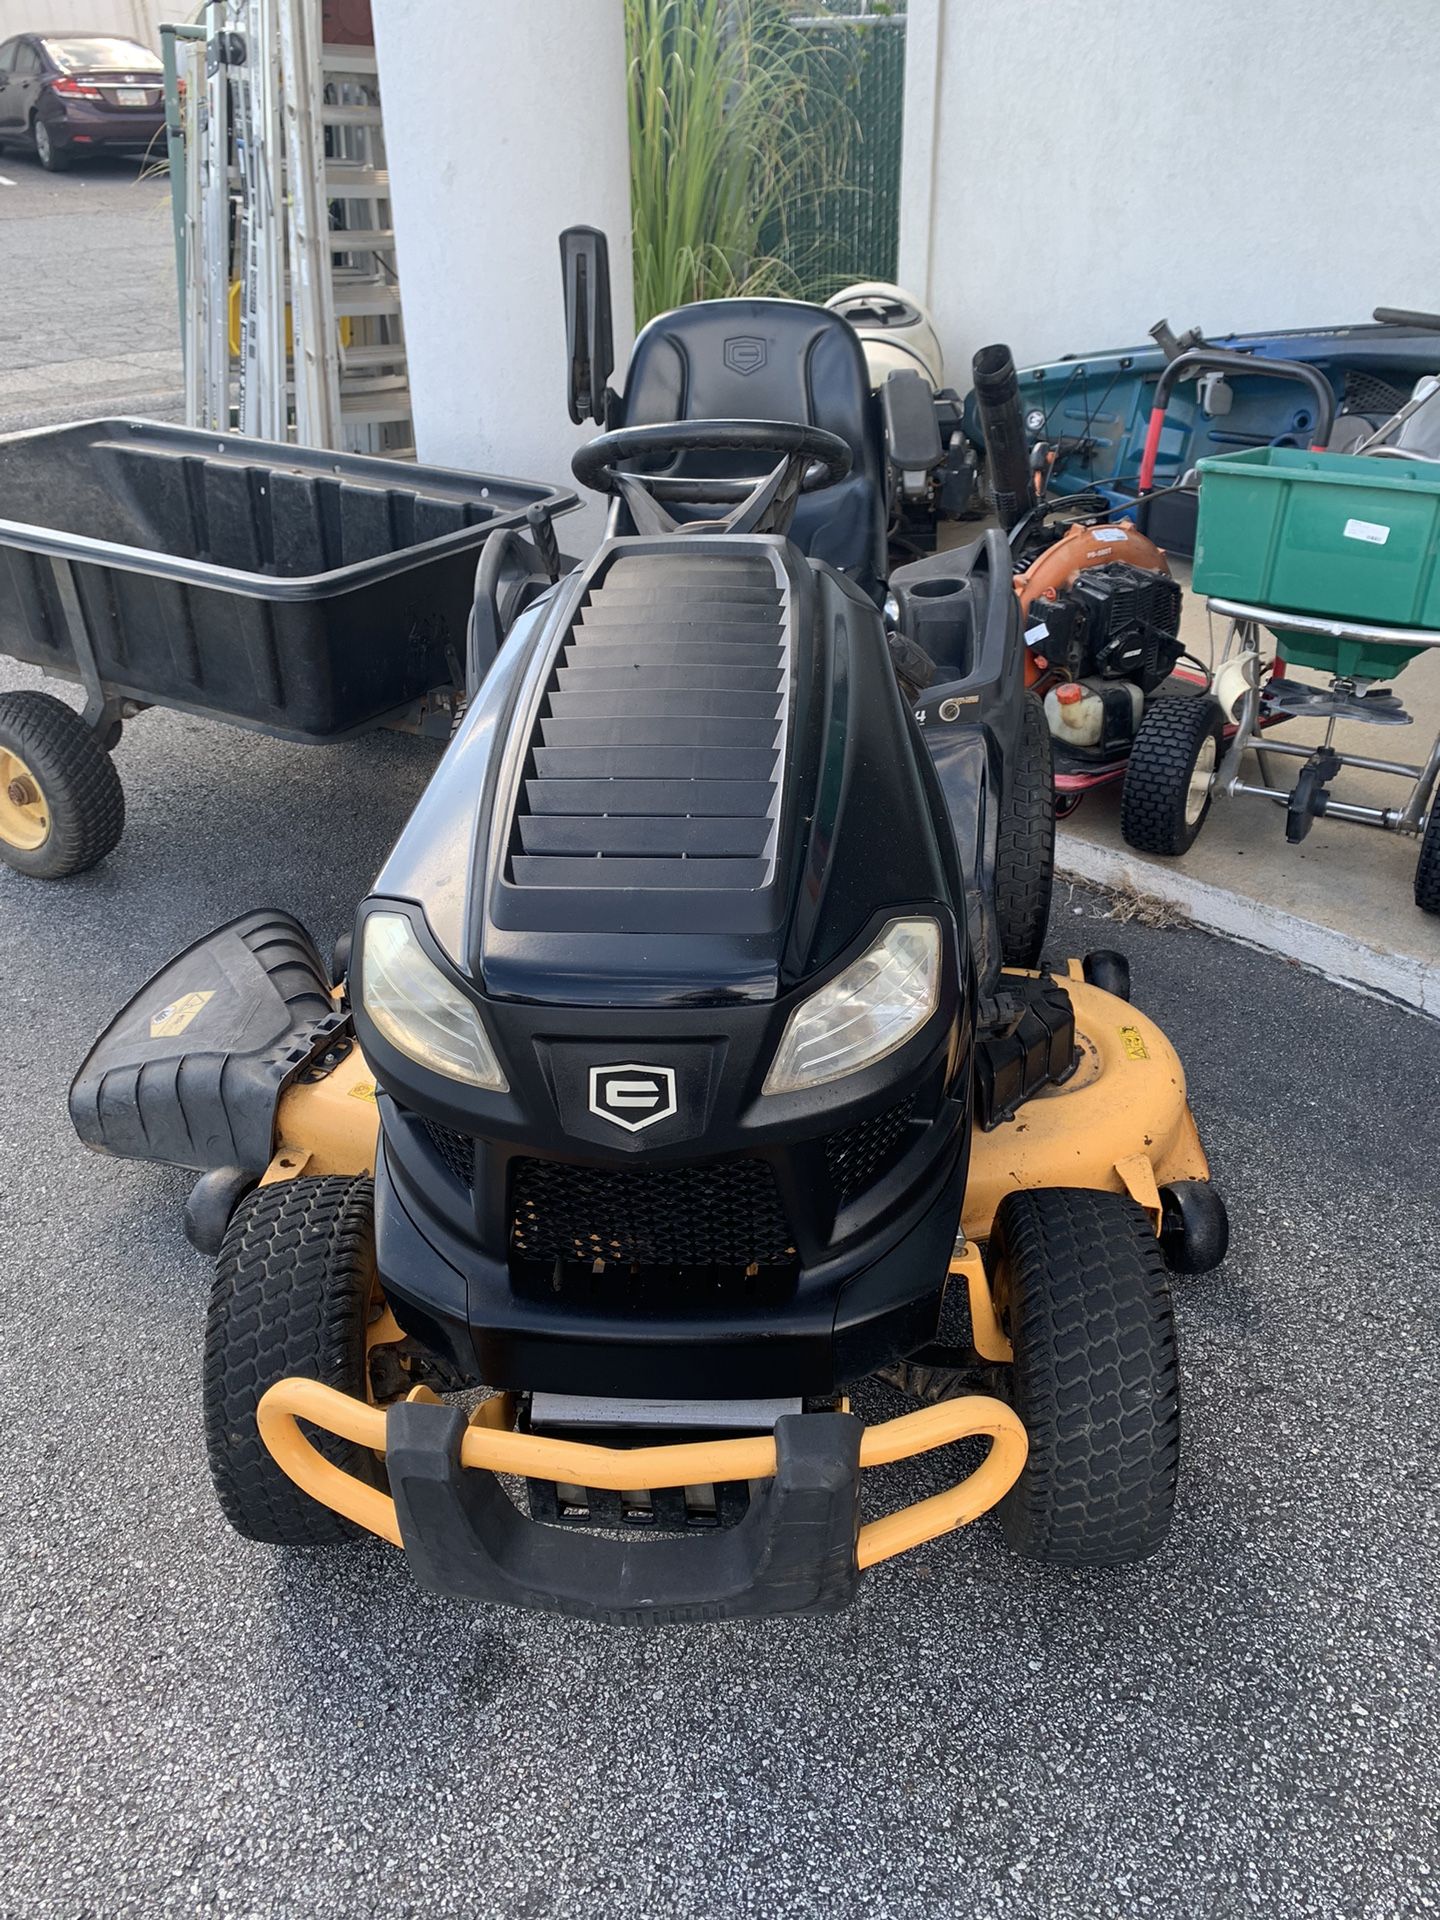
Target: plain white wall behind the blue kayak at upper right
1076,172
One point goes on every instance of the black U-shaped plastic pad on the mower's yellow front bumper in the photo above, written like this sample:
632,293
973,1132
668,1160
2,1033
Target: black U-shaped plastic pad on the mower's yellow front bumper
794,1550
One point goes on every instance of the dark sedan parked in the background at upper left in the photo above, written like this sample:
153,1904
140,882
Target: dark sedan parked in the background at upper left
80,93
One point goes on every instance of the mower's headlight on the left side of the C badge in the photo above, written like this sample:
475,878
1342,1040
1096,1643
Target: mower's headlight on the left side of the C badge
420,1011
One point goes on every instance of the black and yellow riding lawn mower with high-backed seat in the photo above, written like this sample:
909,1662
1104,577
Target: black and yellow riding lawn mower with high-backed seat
696,1042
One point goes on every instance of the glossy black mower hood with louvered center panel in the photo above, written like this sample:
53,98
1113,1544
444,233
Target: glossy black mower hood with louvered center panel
690,779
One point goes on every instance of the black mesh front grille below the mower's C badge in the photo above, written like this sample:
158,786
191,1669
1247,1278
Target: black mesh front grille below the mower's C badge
727,1214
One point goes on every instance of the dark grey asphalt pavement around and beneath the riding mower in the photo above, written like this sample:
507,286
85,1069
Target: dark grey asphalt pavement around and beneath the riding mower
1245,1725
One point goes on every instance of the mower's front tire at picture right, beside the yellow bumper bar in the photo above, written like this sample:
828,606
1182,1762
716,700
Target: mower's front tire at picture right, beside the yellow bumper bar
1080,1285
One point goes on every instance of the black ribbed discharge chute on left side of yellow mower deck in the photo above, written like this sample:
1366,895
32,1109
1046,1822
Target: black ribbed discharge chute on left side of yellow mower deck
193,1070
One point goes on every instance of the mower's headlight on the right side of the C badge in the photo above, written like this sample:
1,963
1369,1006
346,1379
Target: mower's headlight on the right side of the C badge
865,1013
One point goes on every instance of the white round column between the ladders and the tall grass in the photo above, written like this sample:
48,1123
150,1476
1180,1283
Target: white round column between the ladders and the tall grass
502,130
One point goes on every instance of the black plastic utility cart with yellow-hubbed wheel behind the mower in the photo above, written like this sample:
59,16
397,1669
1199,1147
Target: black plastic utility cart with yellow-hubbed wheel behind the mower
304,594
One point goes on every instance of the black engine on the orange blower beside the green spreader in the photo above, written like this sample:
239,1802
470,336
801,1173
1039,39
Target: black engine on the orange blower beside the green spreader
1116,623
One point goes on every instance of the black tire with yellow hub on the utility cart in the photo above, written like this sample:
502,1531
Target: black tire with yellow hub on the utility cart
62,807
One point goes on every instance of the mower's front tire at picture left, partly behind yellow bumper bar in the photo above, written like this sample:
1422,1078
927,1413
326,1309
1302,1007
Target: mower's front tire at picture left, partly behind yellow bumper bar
295,1285
